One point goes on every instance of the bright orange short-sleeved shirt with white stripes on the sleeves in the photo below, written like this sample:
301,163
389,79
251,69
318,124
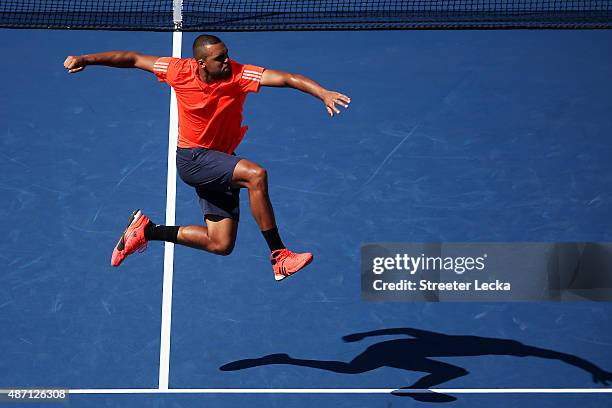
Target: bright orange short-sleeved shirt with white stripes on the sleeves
210,115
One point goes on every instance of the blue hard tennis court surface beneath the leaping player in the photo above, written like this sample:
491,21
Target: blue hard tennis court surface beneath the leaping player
452,136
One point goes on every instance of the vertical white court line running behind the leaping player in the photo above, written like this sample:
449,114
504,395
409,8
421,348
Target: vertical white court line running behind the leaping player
166,323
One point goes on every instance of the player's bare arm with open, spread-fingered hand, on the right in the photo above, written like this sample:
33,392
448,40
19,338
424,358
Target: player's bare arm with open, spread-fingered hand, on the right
275,78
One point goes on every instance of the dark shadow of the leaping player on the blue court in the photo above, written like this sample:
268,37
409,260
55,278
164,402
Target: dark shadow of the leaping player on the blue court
415,354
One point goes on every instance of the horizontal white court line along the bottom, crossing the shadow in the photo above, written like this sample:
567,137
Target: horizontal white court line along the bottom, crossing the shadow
342,391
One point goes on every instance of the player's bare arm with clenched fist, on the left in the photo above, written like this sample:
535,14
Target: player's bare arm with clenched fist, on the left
117,59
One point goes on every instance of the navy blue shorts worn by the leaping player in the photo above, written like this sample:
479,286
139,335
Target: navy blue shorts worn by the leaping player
210,173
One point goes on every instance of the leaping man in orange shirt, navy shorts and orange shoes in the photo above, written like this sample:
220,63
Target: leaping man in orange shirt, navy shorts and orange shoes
211,90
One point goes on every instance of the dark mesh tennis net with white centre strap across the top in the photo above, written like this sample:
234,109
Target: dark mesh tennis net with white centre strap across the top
268,15
